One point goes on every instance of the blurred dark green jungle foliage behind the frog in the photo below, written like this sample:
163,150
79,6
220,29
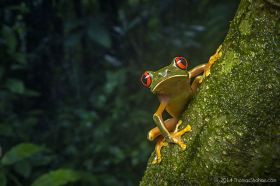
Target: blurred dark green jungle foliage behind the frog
72,110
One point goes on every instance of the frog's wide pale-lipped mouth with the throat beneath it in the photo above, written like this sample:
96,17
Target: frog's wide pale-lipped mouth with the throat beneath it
170,84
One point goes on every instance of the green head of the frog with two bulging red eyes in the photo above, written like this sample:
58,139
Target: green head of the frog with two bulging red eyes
167,78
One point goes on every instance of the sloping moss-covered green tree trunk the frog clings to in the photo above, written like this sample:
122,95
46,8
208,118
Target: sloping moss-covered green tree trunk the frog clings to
235,116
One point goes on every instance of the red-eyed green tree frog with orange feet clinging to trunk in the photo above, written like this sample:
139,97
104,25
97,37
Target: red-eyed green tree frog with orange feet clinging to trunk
174,87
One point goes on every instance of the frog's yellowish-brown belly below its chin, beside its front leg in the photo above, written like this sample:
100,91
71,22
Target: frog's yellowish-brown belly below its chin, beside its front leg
175,107
